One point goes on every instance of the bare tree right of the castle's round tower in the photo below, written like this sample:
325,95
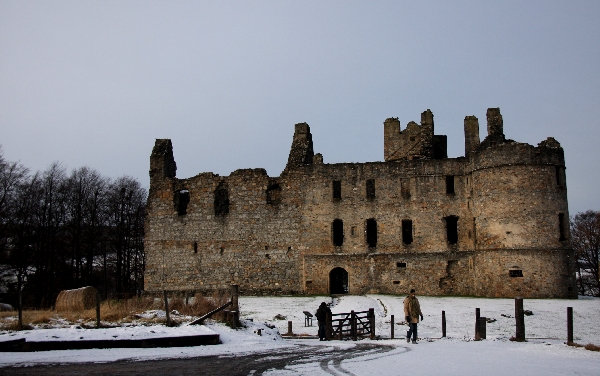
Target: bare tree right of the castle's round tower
585,232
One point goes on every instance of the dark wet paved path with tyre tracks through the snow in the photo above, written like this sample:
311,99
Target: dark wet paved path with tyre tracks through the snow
299,359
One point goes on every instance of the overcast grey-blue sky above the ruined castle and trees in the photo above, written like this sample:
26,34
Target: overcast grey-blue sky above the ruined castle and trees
96,82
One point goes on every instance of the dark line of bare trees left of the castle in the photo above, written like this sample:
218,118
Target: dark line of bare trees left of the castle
62,230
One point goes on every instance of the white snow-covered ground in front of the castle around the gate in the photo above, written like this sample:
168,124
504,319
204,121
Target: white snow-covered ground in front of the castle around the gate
544,353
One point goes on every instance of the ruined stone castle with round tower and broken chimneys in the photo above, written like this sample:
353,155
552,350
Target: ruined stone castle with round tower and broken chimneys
493,223
